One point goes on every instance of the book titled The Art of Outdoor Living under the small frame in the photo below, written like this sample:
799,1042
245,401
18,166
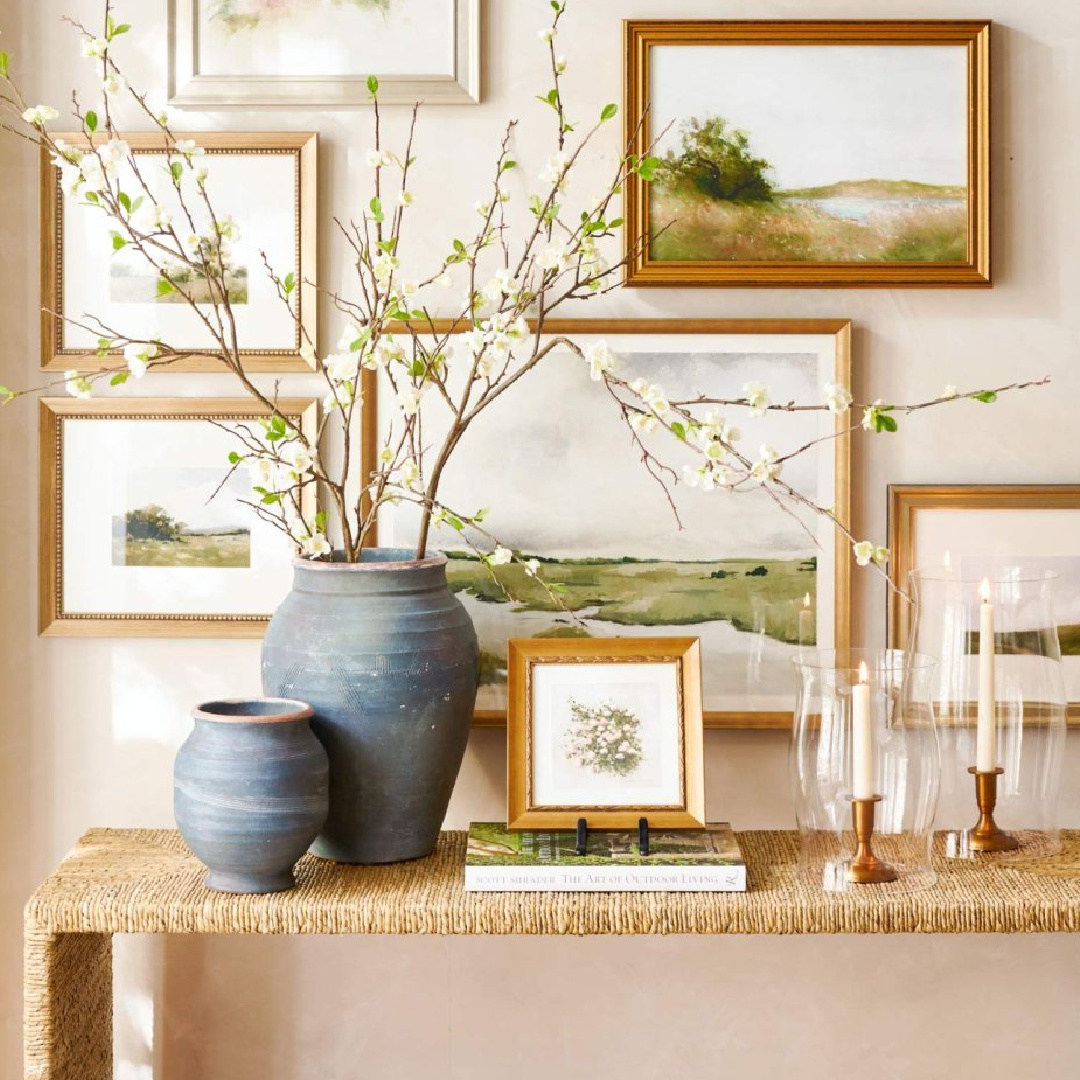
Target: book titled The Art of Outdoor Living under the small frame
704,860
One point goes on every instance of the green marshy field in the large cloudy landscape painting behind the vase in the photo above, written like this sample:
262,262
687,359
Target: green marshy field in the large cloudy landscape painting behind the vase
754,597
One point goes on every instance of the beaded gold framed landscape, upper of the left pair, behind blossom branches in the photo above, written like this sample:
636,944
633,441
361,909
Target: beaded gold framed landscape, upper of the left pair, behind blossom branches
265,182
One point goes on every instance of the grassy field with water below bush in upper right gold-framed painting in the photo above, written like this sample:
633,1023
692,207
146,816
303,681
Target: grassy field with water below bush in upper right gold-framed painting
850,222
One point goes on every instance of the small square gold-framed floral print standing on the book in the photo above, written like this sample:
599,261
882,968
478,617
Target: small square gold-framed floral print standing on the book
606,730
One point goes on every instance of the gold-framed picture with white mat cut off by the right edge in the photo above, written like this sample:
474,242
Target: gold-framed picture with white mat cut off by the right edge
975,530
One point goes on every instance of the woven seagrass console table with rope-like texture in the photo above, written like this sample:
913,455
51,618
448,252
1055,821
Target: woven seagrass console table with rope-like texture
118,882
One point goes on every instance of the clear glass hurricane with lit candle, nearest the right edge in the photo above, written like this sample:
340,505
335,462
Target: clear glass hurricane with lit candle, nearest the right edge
1001,707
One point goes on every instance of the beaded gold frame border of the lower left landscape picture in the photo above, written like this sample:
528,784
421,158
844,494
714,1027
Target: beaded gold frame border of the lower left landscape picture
56,618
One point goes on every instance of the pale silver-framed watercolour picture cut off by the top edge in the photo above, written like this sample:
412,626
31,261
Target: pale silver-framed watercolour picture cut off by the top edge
318,55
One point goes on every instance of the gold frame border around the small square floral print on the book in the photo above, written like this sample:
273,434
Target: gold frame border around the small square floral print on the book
686,652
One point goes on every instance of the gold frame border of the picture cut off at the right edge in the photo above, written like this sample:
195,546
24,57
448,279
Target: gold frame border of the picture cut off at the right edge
907,502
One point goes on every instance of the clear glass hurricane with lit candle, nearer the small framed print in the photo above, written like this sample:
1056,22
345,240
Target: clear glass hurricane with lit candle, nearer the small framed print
865,769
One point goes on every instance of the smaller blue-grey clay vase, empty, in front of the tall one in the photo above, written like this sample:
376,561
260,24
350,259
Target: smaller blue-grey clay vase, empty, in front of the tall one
251,792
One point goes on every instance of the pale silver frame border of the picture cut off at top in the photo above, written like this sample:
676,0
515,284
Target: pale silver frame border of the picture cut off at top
190,90
